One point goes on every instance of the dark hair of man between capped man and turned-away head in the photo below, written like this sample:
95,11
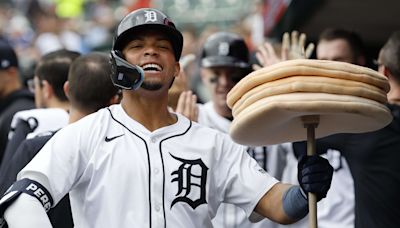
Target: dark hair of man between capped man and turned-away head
54,67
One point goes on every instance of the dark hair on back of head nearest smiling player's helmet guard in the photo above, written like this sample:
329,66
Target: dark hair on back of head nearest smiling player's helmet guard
90,85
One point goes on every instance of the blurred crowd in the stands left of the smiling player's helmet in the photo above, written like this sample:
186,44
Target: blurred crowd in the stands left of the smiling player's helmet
37,27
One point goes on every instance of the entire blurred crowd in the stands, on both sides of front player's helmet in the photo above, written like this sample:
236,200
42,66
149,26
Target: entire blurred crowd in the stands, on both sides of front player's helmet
37,27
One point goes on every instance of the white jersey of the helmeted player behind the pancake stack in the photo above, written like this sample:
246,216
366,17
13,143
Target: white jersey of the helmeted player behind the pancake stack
271,158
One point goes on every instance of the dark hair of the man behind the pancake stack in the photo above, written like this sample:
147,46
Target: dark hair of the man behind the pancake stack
352,38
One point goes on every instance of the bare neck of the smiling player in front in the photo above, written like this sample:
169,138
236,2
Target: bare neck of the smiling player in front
151,113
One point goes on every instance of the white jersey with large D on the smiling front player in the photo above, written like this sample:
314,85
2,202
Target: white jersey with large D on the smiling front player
119,174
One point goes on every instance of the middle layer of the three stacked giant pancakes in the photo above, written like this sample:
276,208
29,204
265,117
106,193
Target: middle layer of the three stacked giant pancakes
309,84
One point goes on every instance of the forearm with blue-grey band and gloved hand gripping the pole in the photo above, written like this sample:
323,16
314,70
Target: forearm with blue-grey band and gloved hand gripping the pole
286,203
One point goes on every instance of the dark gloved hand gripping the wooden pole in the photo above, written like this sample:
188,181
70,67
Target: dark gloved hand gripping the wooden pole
315,175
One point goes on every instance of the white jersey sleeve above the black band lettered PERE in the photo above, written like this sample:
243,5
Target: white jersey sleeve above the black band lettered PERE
60,162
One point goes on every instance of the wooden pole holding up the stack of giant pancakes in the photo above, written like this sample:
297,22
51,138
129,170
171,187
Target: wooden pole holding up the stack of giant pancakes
311,122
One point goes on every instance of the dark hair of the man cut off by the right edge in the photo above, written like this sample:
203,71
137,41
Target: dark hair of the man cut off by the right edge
390,55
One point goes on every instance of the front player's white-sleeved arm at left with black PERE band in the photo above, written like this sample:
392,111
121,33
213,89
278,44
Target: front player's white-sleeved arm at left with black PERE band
45,179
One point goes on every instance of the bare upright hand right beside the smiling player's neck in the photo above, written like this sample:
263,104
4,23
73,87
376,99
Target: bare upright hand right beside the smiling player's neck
187,105
